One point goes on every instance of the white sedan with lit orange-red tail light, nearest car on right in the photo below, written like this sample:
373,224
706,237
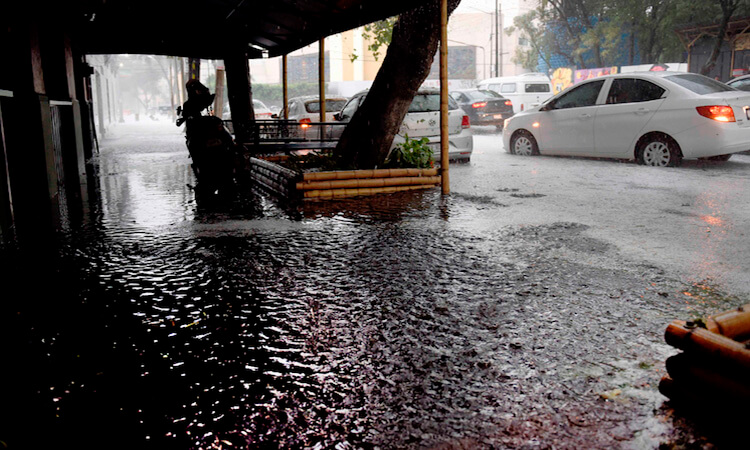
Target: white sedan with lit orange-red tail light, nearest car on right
655,118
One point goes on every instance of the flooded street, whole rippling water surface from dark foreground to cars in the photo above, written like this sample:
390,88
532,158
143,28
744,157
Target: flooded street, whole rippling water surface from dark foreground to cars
525,310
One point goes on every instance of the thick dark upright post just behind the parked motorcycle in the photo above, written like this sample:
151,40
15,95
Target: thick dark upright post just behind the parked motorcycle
239,90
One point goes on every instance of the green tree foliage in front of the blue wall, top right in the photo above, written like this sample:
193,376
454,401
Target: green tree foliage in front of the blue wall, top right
596,28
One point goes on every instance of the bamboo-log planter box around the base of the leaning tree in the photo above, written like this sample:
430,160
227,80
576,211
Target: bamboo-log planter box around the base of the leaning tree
338,184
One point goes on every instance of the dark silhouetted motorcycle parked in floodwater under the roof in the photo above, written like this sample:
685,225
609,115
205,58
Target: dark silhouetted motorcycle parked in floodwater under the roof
209,143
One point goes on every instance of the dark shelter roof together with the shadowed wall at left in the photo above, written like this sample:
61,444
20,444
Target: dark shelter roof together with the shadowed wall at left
47,131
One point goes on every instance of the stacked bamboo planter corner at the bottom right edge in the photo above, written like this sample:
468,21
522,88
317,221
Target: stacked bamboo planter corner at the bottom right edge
715,362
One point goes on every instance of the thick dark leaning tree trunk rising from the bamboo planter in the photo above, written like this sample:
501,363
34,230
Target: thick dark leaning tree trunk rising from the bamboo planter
367,138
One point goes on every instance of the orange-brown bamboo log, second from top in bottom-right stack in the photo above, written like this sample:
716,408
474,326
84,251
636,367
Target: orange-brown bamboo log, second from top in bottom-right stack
704,342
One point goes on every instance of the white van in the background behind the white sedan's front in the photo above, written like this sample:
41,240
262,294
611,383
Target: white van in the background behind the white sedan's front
525,91
